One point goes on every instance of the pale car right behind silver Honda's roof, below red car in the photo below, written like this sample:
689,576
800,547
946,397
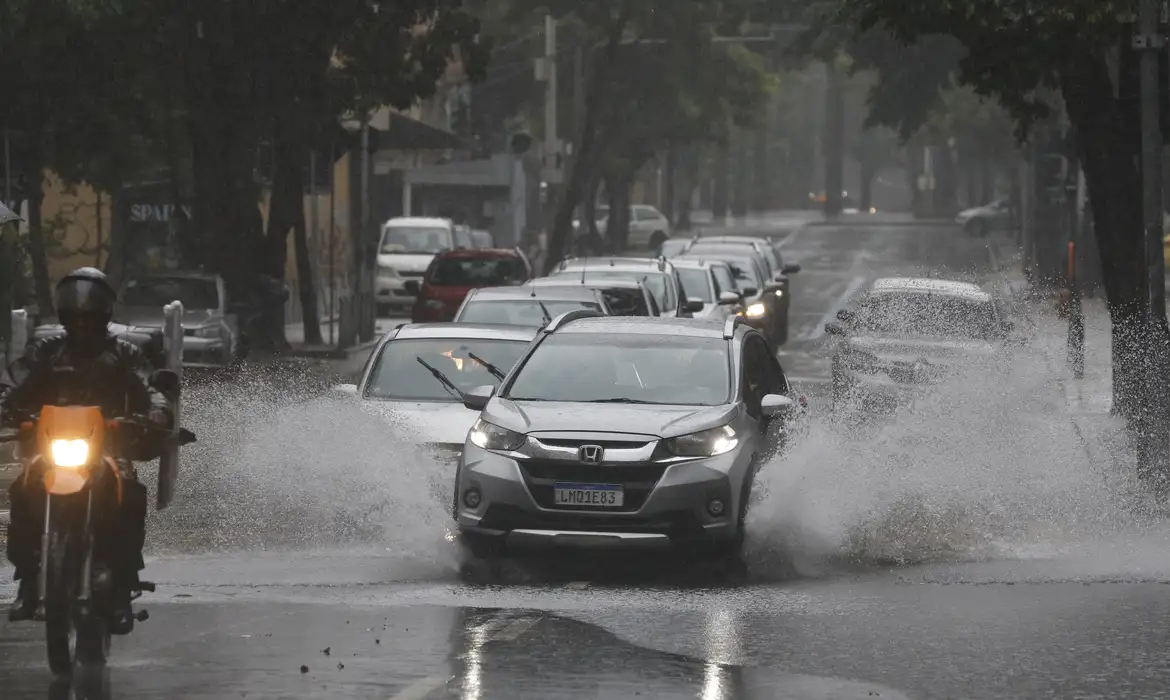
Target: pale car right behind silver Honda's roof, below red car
527,305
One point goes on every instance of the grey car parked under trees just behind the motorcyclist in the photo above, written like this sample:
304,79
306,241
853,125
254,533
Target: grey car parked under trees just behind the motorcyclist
211,325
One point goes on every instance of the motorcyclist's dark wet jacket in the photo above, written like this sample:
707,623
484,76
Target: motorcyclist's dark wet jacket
116,379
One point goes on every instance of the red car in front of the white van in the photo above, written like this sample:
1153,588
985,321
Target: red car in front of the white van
455,273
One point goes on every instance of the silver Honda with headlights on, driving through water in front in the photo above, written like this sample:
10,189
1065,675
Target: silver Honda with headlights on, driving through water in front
653,440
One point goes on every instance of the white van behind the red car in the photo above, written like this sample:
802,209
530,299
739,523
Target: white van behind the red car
405,251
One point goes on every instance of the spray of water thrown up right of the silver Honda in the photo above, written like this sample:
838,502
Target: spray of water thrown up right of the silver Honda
989,464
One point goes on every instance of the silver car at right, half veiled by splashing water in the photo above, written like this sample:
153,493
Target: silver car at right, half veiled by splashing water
905,335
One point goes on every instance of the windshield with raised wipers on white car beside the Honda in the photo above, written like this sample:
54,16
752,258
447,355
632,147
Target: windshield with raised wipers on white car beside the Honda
398,375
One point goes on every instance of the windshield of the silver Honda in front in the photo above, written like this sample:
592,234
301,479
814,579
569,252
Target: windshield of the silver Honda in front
621,368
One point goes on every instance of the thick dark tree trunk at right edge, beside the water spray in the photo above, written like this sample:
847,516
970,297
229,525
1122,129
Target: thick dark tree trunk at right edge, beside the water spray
1114,187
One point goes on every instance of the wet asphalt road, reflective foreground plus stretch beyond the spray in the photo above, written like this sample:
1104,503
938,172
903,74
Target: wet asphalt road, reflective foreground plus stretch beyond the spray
363,623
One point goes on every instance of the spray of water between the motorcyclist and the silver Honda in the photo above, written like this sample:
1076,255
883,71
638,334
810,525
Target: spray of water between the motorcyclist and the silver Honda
272,471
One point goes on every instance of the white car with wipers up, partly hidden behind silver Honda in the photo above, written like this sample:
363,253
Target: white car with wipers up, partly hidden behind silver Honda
422,373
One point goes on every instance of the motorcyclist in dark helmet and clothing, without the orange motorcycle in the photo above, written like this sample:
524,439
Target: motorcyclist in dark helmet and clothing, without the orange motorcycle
112,374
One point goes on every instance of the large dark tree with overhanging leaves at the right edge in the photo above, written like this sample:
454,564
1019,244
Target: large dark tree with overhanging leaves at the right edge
1015,51
